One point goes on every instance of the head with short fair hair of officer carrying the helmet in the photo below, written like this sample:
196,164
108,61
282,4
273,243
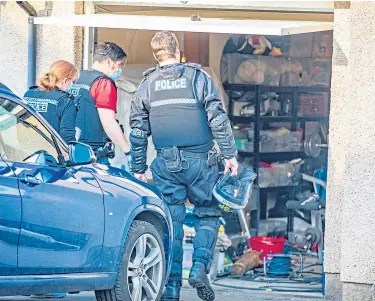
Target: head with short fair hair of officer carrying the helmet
164,45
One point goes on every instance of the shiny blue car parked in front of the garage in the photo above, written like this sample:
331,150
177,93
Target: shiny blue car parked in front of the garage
68,224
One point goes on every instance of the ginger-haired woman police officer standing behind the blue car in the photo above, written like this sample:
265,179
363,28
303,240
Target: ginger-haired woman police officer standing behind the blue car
52,101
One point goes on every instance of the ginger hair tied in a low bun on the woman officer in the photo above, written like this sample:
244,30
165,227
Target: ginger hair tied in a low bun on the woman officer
57,71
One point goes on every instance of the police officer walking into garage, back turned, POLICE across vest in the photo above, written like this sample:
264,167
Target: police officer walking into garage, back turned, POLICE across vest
178,105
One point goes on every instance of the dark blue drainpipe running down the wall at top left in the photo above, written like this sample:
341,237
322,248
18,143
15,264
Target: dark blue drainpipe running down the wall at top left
31,44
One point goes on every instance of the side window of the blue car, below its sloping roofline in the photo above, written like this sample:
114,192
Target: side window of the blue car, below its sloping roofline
23,137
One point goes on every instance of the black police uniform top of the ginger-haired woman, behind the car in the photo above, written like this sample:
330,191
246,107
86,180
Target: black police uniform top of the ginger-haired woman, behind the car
57,107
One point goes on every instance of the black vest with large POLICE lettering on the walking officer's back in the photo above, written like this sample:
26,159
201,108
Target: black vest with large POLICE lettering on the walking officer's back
176,116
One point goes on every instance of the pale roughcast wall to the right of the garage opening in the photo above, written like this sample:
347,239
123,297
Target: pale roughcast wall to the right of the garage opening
349,244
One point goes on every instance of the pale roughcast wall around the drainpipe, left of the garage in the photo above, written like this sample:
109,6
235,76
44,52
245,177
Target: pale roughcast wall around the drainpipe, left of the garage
53,42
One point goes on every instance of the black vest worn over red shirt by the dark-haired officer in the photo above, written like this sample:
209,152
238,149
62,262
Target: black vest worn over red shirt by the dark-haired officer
88,120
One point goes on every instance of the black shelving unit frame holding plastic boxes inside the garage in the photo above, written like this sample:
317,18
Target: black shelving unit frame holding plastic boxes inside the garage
258,120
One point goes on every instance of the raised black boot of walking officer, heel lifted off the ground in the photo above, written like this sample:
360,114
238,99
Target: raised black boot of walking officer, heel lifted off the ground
199,280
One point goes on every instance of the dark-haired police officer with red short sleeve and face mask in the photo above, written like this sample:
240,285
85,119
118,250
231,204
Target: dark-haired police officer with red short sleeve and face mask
97,94
